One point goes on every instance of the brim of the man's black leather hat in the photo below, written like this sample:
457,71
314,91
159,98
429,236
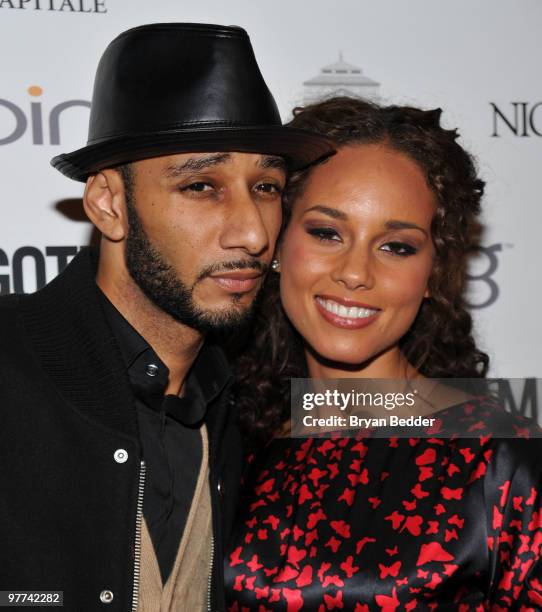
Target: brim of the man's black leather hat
299,148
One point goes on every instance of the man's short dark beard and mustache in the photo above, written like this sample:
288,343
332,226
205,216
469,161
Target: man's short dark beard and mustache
159,282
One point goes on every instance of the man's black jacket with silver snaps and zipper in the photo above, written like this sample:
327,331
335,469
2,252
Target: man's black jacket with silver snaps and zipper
68,507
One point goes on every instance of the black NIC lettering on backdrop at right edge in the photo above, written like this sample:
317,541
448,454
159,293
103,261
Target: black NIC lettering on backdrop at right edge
521,119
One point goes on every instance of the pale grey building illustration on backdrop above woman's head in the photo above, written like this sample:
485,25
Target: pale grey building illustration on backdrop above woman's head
340,79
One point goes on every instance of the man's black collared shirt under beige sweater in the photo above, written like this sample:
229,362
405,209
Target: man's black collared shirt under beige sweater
169,430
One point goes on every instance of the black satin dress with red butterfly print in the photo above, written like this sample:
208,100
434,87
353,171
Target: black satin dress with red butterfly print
361,524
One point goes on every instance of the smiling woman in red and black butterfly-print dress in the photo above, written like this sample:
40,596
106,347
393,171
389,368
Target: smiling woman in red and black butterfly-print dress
372,269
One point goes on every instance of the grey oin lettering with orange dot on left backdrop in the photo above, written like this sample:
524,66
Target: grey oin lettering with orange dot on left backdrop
42,123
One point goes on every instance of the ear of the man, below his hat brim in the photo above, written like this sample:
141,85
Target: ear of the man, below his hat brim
105,204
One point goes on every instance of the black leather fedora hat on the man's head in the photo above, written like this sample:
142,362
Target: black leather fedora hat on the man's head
179,87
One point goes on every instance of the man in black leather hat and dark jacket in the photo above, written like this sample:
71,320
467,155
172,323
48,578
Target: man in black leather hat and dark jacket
120,458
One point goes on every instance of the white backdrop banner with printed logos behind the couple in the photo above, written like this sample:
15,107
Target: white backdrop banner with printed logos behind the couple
478,61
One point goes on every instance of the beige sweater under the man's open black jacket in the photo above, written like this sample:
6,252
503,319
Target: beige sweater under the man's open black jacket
187,586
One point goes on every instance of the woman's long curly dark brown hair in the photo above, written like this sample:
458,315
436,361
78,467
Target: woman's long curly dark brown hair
439,343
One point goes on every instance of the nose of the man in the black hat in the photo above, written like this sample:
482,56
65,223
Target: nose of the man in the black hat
244,226
